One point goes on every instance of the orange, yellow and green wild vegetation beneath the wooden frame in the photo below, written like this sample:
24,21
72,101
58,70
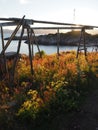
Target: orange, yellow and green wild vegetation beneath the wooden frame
52,94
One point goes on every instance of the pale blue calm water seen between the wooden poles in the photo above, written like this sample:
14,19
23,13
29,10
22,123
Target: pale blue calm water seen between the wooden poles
48,49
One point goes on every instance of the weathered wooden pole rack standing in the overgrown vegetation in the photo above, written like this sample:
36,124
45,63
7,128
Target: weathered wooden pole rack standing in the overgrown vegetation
25,24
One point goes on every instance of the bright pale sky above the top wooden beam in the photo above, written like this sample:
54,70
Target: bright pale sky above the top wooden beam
67,11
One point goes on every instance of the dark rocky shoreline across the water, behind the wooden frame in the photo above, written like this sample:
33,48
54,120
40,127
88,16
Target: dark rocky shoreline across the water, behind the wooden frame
65,39
